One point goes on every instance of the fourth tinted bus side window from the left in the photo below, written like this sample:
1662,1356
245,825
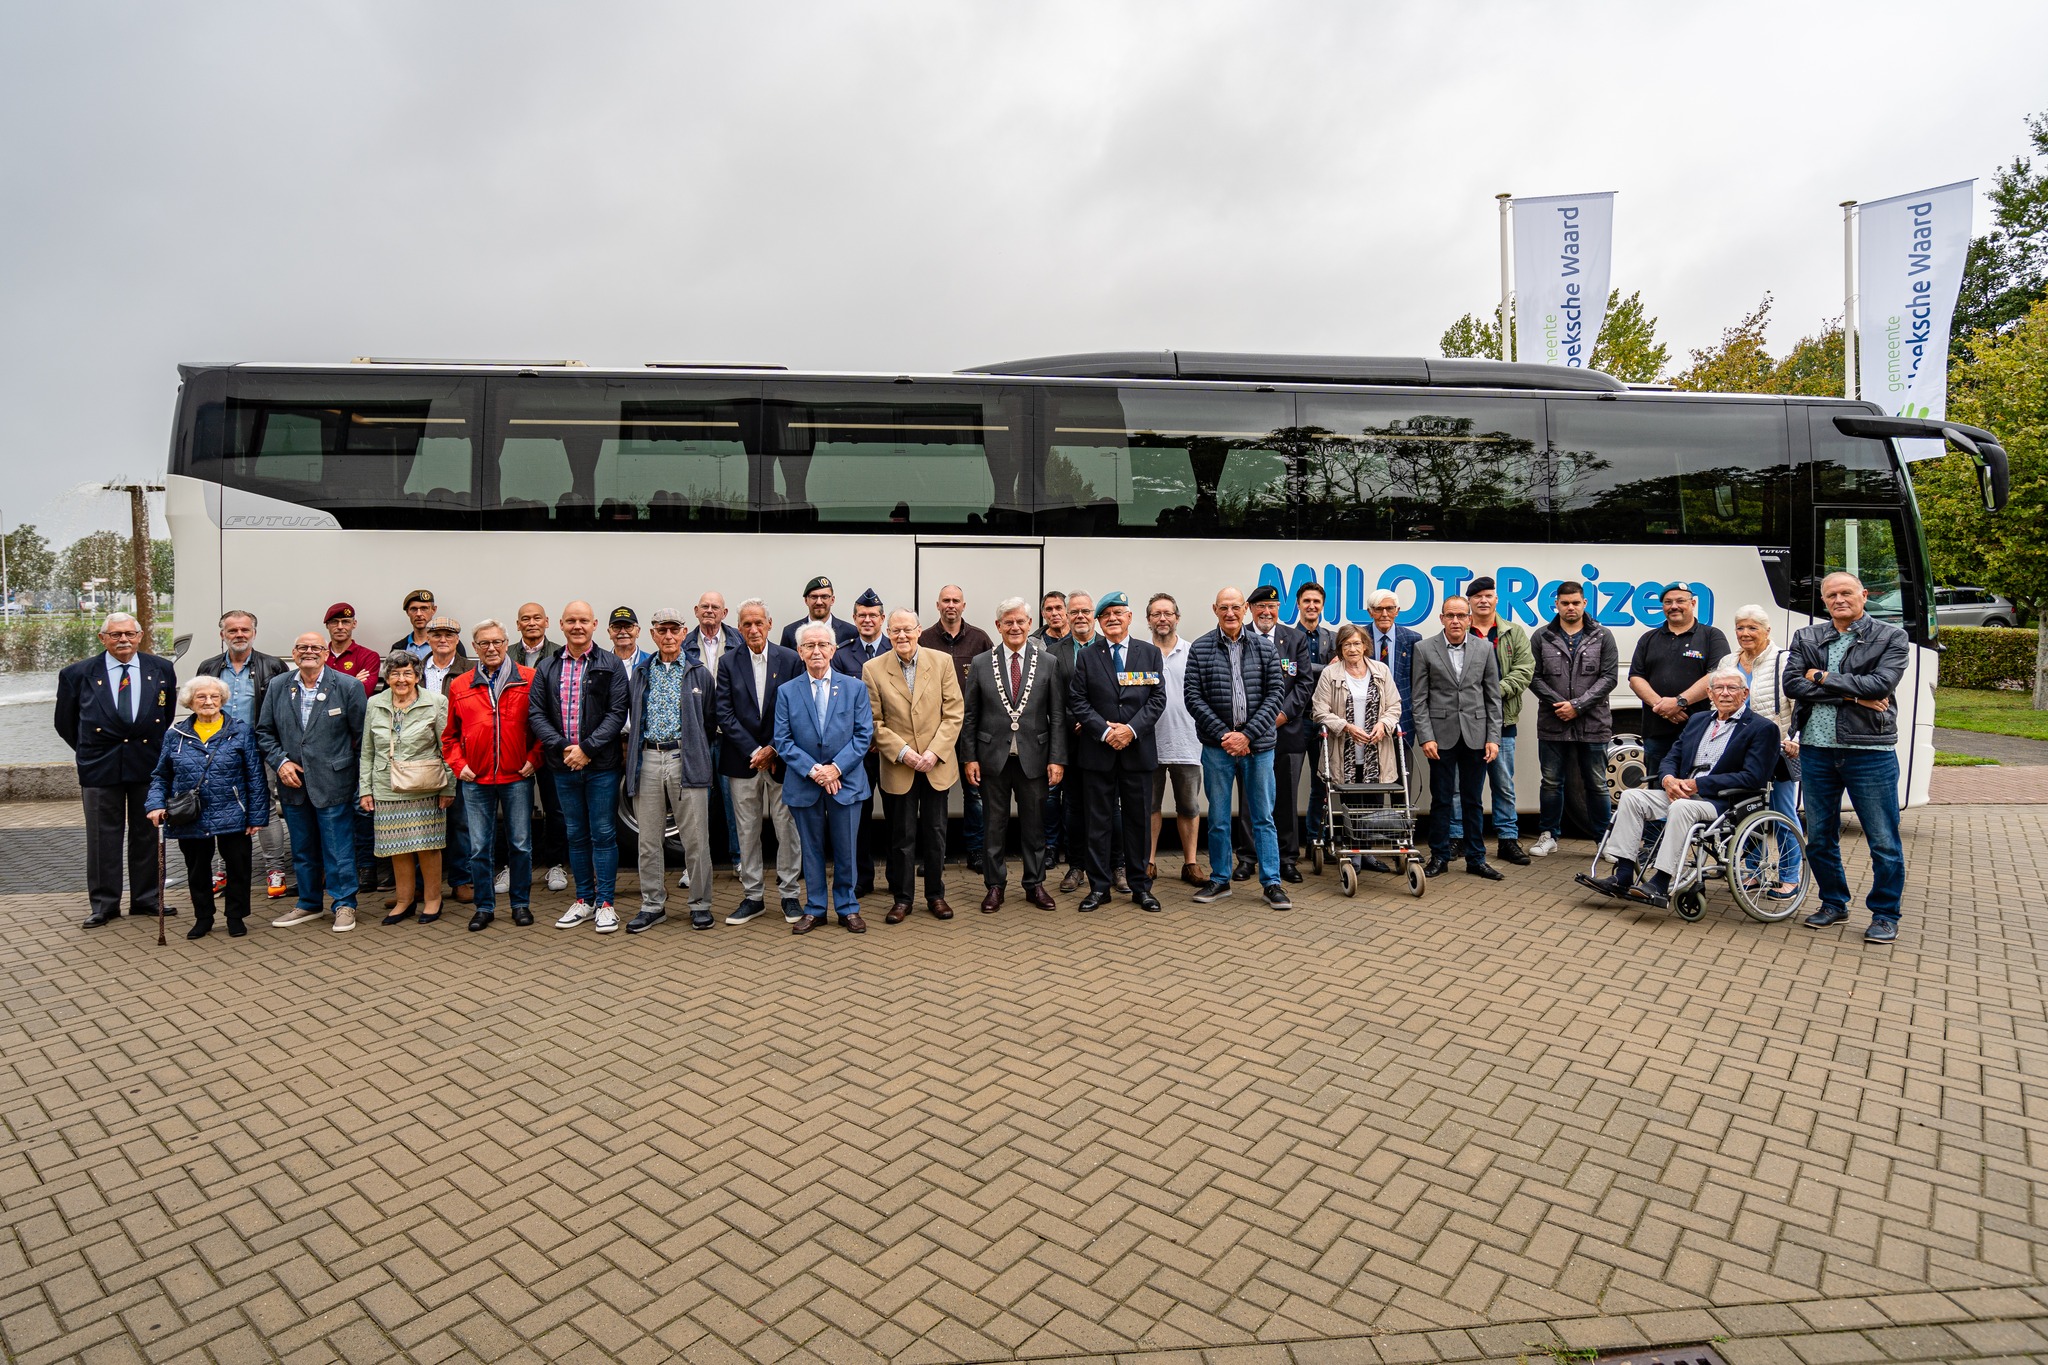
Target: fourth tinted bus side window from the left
1166,464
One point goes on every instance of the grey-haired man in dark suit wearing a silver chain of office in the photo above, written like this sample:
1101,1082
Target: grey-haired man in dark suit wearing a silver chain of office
1017,746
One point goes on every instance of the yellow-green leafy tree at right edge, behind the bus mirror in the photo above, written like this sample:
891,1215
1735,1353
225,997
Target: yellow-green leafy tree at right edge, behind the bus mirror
2002,386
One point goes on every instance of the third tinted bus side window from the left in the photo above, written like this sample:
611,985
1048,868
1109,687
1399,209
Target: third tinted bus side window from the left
892,457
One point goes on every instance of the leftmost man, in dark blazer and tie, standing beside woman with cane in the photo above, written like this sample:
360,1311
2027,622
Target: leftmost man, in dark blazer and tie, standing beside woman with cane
114,711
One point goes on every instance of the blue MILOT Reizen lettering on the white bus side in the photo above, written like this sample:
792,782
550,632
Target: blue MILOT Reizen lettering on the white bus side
1523,595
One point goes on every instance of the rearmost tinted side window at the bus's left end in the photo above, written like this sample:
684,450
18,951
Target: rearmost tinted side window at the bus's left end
376,453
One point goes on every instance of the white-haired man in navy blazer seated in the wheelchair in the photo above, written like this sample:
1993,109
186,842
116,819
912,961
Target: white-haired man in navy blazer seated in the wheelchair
1721,752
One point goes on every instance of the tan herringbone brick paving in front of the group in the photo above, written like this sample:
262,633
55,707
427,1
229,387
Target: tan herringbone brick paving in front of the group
1476,1127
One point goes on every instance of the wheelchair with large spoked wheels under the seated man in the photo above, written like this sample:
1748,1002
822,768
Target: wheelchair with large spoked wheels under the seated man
1746,848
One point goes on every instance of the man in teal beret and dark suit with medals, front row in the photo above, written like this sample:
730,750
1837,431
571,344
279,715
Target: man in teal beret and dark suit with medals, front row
1115,699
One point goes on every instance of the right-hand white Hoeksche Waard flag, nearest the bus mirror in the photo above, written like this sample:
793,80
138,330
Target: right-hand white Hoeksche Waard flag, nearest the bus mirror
1910,269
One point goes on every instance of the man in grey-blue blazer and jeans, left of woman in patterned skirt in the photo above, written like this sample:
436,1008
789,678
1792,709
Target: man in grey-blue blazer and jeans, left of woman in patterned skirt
312,736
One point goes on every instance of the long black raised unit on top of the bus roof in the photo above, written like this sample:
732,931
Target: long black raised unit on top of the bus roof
1252,367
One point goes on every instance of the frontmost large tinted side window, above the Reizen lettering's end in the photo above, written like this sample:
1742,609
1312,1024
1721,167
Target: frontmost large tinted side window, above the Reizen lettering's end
1684,472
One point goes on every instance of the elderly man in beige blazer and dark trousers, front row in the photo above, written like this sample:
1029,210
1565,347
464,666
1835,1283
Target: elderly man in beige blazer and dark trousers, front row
919,711
